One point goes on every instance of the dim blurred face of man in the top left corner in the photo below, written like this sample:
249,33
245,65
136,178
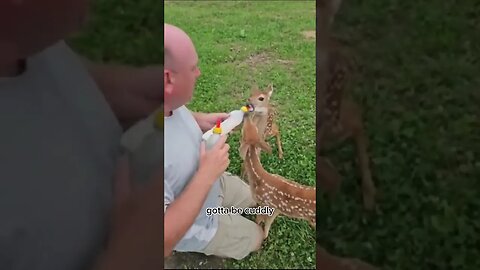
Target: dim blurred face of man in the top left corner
29,26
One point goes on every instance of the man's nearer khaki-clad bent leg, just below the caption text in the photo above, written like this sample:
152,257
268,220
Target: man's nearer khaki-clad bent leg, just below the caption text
236,238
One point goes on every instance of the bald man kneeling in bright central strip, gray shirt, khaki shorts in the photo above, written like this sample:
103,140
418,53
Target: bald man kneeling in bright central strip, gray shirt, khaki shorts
196,180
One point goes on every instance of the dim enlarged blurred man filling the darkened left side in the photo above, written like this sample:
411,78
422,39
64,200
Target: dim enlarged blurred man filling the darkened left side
61,119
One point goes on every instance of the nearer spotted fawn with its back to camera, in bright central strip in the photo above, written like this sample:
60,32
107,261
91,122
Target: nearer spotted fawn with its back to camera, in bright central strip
287,197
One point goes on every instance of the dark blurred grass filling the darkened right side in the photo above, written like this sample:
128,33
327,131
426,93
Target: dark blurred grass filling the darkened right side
418,83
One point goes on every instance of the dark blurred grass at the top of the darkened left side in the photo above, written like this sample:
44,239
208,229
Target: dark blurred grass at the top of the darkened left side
122,31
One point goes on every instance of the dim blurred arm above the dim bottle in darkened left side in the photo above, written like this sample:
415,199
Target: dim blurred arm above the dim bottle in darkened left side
132,92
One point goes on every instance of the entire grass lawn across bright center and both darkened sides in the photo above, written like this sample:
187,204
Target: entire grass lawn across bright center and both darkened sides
417,82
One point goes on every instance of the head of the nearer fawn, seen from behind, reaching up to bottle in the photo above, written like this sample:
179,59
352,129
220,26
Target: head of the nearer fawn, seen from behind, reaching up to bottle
250,137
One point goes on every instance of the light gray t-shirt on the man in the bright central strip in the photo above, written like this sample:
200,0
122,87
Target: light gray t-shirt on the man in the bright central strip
182,152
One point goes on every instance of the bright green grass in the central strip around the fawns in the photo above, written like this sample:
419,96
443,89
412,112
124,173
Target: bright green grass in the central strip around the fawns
226,35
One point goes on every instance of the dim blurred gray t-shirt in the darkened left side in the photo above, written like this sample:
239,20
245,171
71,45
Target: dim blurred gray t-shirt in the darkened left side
59,142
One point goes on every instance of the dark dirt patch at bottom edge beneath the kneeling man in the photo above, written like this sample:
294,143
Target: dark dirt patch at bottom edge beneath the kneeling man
192,260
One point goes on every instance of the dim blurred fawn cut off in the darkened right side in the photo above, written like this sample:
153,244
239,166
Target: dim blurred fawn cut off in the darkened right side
339,116
